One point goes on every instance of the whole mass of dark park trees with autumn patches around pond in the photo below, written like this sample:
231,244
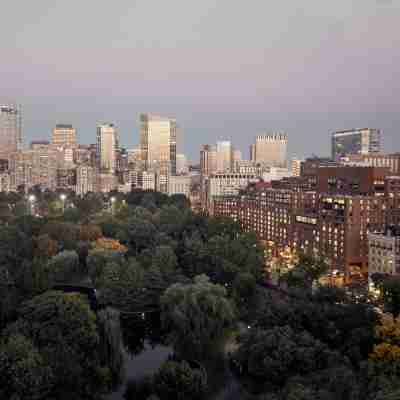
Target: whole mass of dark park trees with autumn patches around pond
146,250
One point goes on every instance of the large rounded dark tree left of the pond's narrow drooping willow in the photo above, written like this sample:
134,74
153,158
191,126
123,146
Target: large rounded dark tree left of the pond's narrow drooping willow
63,329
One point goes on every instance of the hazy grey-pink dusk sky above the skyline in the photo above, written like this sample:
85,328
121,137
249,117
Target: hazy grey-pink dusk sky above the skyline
225,69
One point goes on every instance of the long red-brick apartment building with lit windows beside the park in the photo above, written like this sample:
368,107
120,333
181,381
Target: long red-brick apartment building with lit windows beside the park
332,222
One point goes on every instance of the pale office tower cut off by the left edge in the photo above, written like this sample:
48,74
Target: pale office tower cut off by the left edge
10,130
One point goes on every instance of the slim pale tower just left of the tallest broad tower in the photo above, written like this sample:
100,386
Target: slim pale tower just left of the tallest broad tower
106,147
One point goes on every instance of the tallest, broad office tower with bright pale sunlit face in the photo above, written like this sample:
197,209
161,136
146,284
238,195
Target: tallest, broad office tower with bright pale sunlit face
158,141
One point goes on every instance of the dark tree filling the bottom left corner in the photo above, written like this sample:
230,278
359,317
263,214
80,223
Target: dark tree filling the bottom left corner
24,374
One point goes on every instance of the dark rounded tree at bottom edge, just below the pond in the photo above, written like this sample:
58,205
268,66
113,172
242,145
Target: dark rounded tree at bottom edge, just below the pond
178,381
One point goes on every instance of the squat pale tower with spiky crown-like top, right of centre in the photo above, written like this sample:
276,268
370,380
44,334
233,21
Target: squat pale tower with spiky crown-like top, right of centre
271,149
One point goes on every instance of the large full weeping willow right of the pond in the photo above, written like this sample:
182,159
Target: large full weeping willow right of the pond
196,315
